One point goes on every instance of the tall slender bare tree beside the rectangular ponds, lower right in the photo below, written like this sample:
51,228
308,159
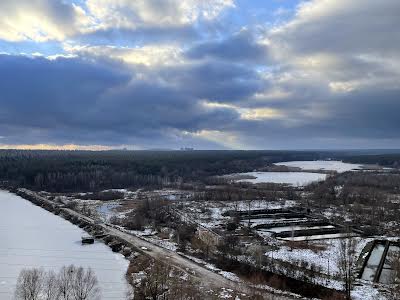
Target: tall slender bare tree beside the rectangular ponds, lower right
346,261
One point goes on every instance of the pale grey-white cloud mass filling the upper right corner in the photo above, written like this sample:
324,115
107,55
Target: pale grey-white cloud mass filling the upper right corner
336,46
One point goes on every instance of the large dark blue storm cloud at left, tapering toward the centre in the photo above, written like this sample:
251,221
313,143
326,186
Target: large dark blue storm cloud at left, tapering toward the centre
76,100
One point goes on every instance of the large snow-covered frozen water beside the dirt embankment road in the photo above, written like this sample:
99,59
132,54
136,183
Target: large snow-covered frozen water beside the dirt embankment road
32,237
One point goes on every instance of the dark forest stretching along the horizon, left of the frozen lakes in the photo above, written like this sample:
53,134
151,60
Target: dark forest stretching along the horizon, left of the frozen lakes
71,171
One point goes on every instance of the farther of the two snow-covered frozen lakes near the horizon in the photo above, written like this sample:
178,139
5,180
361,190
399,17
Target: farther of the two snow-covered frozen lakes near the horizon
326,165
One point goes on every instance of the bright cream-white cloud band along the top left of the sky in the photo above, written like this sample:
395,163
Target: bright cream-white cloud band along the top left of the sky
58,20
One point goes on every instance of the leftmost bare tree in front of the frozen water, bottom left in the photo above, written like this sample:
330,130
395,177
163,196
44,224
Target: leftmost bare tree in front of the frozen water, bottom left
29,284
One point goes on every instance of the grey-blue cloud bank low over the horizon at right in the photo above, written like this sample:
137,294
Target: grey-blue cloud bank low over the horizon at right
368,116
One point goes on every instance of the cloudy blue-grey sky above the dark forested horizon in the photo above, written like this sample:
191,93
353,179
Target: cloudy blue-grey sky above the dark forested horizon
207,74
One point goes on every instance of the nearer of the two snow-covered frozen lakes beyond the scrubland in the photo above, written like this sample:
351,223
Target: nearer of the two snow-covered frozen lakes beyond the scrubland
292,178
